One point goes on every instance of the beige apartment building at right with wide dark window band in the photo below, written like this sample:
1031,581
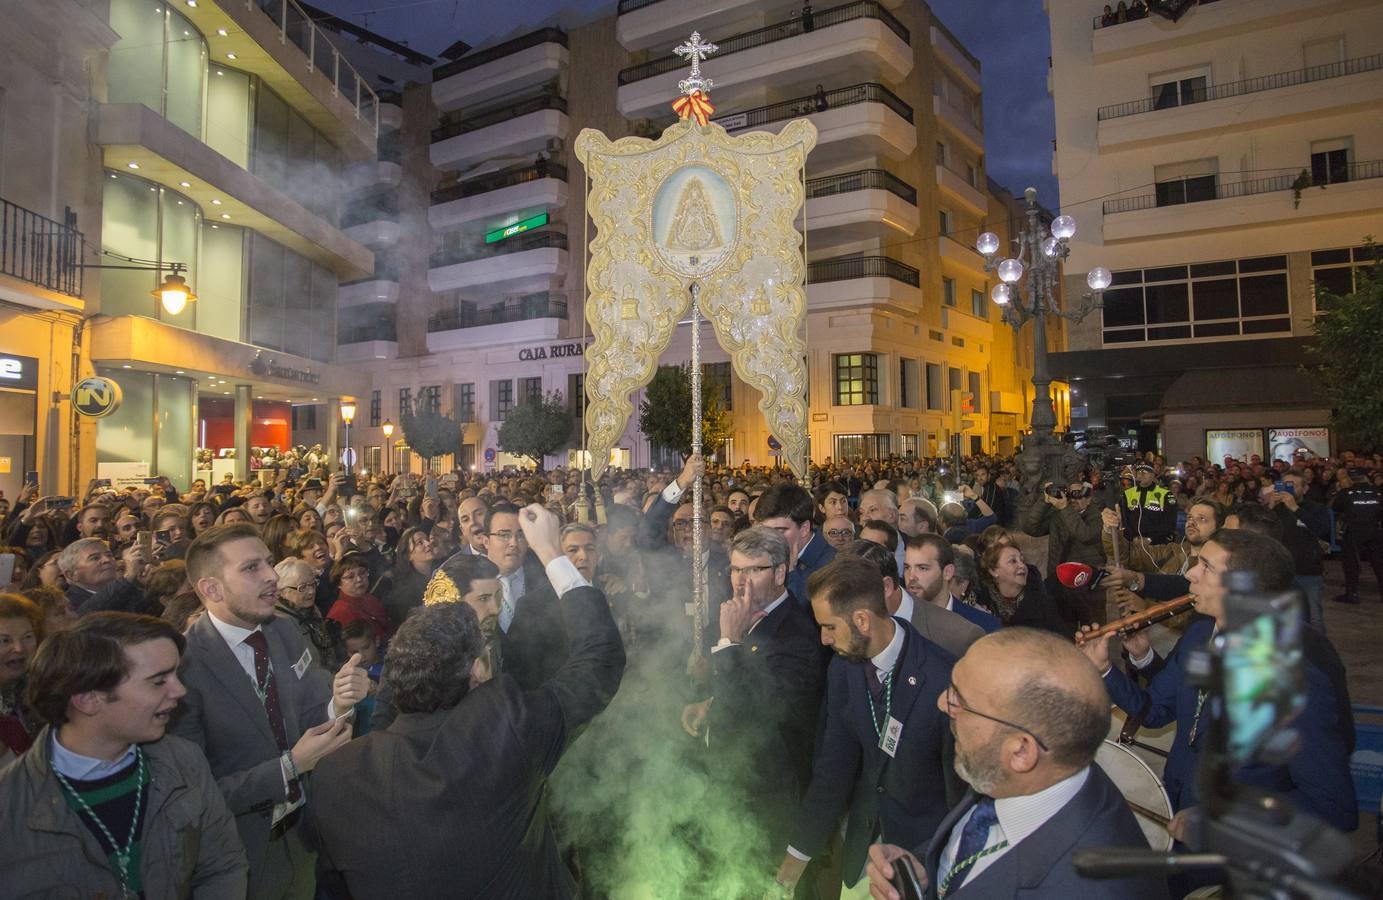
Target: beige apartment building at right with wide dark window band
1223,167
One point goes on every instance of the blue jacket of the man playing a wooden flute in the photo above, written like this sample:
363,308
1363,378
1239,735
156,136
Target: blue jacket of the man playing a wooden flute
1317,779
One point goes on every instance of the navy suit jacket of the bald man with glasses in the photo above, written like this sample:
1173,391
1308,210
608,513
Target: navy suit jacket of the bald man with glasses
1039,866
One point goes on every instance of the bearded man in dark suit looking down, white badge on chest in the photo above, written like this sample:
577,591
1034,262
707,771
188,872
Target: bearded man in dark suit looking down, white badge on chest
882,757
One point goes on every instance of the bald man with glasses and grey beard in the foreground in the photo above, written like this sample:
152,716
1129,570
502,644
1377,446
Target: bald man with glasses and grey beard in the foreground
1028,713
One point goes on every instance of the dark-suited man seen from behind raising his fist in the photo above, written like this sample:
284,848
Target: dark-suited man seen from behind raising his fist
456,789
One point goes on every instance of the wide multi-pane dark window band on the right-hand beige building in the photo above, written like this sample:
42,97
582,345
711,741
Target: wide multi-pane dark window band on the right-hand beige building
1223,299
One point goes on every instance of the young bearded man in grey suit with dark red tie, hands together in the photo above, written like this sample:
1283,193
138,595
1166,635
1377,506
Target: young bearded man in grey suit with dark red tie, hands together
259,706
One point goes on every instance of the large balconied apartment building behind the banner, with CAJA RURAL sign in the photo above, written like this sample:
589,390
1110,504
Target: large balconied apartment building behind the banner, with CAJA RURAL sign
897,194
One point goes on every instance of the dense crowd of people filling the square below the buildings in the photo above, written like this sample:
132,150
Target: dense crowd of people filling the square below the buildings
359,686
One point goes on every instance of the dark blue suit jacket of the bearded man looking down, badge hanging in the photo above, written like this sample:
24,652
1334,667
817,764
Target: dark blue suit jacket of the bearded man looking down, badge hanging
901,798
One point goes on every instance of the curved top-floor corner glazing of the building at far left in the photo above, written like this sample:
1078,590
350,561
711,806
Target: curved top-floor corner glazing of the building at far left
160,62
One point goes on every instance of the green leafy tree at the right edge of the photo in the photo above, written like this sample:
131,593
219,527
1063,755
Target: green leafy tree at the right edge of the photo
1350,332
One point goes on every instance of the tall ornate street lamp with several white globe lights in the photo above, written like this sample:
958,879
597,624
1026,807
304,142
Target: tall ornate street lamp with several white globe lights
1027,291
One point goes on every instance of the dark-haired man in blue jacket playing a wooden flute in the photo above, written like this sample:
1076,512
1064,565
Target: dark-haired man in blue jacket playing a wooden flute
1317,779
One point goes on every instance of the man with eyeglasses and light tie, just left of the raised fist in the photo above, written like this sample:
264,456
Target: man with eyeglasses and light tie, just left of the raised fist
532,637
